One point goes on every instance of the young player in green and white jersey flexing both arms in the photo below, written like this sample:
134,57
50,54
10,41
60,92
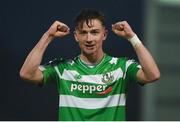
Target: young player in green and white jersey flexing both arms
93,86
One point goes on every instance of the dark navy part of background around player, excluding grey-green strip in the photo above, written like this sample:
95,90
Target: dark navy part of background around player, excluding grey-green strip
22,24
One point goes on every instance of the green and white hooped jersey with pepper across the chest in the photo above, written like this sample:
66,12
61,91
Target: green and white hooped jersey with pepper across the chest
91,94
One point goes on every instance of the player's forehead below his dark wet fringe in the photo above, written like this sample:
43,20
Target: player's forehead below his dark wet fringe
91,24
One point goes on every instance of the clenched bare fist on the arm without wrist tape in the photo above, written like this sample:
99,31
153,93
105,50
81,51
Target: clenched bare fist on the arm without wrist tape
58,29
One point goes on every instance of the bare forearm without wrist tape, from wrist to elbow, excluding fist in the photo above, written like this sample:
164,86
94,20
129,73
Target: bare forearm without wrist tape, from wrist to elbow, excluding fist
33,60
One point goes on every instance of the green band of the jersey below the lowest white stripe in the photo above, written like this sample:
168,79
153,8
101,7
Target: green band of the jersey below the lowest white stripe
104,114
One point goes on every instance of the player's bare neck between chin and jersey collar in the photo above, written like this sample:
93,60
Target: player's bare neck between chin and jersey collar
92,58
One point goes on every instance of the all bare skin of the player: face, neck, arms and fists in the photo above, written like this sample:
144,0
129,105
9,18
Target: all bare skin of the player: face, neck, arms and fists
90,39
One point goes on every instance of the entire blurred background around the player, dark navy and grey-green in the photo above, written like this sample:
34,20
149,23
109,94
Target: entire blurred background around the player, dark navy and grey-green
22,24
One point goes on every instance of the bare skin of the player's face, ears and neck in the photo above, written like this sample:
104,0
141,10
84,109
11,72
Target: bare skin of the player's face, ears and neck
90,41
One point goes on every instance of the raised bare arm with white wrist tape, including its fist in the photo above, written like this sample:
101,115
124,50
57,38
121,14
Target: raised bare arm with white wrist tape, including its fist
149,71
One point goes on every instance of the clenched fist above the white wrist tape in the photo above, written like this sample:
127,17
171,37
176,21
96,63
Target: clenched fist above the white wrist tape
123,29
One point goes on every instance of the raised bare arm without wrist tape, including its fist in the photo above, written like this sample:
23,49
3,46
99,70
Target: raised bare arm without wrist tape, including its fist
30,70
